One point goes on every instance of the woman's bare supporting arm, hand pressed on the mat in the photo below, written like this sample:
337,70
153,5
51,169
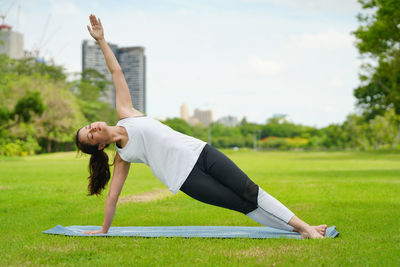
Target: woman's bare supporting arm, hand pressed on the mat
121,170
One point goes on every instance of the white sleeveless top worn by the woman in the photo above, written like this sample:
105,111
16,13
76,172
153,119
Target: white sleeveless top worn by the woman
170,155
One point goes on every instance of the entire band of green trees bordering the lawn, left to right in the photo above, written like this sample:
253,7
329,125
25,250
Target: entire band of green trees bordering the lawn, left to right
40,110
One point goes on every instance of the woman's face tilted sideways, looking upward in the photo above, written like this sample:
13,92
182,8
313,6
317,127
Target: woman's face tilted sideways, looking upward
94,133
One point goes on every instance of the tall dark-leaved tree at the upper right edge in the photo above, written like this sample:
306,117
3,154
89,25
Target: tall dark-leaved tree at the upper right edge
378,38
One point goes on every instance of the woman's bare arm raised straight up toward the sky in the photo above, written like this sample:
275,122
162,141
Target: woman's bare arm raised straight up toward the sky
123,98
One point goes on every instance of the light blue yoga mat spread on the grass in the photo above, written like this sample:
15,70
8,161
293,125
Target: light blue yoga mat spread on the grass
185,231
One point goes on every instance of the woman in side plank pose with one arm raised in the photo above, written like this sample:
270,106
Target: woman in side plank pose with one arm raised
181,162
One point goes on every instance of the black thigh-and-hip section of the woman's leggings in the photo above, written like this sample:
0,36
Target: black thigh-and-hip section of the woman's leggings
216,180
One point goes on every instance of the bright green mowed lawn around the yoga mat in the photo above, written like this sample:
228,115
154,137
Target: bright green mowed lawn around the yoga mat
357,192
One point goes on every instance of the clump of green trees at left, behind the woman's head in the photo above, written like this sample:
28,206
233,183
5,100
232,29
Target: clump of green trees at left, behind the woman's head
38,105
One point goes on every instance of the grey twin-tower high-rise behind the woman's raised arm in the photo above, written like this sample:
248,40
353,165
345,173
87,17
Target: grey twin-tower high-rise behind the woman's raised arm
133,64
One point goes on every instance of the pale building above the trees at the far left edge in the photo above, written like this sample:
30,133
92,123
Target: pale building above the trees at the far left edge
11,42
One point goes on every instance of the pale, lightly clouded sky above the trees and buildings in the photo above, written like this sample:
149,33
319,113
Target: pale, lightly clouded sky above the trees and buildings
245,58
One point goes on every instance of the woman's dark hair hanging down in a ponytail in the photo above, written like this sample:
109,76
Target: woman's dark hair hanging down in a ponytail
99,169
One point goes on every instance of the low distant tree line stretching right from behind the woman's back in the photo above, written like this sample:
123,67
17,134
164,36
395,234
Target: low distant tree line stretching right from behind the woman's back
355,133
